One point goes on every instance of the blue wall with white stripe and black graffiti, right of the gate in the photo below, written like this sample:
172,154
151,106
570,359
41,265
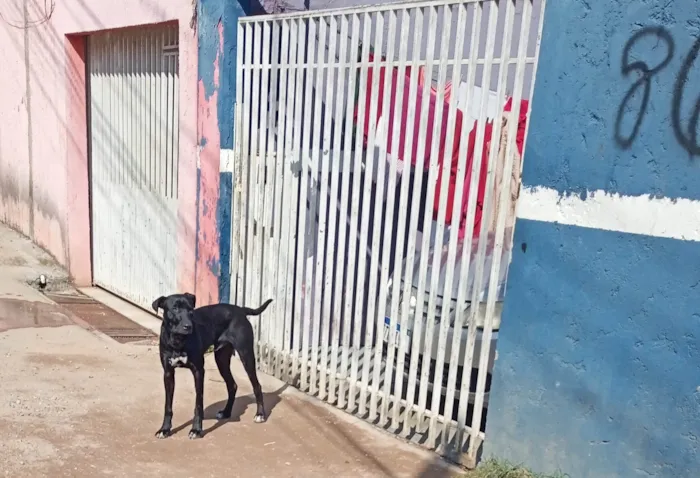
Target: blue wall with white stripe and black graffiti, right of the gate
599,356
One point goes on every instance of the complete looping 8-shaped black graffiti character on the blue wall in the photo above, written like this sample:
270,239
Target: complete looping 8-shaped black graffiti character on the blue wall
644,80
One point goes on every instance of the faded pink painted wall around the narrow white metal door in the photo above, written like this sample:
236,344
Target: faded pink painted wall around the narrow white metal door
43,133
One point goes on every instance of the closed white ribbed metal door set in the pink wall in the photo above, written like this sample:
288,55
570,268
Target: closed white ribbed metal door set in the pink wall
134,131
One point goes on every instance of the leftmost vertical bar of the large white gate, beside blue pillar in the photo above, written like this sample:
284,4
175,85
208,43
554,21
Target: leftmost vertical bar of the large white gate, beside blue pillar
237,222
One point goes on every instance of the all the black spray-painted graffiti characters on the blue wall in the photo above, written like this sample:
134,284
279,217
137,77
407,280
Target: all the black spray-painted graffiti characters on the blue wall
688,137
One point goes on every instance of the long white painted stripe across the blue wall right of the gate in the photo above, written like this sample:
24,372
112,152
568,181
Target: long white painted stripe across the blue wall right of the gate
650,216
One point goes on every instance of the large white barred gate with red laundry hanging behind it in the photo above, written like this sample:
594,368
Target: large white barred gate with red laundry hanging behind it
383,234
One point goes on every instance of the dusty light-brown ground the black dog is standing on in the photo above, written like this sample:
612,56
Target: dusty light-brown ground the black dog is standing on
75,403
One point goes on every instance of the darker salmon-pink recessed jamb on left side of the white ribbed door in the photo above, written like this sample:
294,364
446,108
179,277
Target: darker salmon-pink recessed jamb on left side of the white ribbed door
78,202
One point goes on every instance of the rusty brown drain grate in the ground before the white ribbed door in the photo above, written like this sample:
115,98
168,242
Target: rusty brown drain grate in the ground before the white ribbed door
102,318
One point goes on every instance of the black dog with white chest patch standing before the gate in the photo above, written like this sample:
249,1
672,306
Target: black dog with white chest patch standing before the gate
187,333
